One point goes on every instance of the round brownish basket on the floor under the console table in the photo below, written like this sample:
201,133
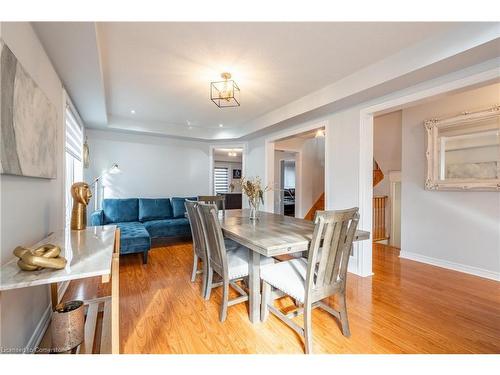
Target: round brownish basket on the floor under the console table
68,322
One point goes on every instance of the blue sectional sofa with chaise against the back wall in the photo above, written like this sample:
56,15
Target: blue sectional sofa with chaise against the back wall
142,219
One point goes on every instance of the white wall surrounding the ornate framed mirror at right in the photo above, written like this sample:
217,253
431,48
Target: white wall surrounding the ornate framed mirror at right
457,227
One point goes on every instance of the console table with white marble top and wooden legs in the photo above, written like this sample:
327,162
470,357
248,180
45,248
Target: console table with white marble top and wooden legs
89,253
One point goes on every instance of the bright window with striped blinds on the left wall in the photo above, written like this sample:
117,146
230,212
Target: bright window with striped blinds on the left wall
73,154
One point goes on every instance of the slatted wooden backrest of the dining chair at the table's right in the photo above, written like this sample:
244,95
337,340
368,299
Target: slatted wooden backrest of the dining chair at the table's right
335,231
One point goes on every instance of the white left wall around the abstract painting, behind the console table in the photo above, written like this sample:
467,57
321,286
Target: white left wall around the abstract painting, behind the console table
30,207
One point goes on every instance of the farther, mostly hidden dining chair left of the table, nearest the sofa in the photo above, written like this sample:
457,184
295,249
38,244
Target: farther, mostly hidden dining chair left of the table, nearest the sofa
199,245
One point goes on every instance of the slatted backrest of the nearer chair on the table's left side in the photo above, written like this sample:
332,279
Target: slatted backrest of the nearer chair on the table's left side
216,248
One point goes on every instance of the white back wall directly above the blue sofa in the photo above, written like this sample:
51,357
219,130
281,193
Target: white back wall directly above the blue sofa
151,166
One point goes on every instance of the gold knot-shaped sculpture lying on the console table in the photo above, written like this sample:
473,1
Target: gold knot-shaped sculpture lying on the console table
46,256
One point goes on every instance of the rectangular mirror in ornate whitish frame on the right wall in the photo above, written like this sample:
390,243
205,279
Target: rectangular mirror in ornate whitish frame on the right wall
463,152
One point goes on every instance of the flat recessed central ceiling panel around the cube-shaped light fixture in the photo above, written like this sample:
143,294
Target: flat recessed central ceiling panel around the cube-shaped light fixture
163,70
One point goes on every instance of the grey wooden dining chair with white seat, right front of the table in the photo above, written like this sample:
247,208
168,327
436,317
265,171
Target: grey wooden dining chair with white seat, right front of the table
321,275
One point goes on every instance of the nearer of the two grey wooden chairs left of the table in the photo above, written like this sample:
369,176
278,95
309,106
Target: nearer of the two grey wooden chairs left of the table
231,266
